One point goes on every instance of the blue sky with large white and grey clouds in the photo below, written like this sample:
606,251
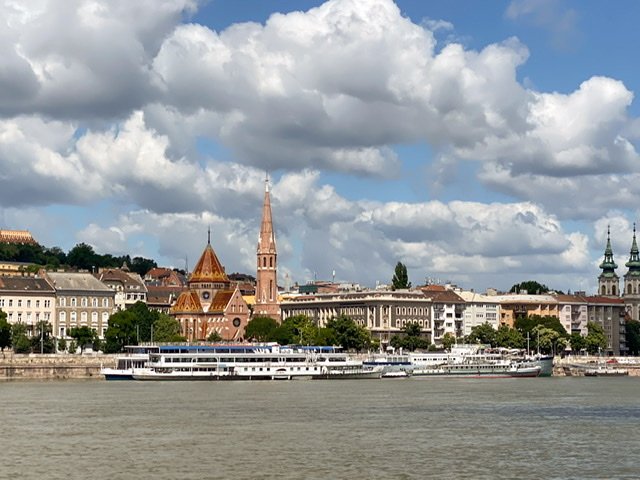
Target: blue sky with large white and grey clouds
479,143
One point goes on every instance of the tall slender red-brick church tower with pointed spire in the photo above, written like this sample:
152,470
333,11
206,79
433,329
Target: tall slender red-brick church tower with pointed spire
267,303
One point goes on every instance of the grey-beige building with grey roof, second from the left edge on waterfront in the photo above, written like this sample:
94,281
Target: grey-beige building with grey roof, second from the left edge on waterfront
81,300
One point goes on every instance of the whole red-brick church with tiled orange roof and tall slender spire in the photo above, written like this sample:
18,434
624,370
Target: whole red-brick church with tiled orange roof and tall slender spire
213,303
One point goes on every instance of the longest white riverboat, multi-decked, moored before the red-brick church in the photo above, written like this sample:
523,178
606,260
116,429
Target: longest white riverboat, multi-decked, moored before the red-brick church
251,362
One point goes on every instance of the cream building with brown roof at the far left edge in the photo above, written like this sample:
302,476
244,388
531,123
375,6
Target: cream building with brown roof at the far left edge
27,300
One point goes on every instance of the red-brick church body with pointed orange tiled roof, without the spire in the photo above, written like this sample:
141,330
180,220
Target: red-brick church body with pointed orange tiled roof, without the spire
211,302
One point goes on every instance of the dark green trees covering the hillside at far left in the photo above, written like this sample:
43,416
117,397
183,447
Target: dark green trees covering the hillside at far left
80,257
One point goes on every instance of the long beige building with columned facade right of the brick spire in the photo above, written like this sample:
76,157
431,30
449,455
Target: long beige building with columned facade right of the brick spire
383,313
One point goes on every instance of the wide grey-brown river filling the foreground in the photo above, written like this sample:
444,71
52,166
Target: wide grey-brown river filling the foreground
544,428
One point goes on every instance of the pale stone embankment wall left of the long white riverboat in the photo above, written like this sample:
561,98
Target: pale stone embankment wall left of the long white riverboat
53,366
